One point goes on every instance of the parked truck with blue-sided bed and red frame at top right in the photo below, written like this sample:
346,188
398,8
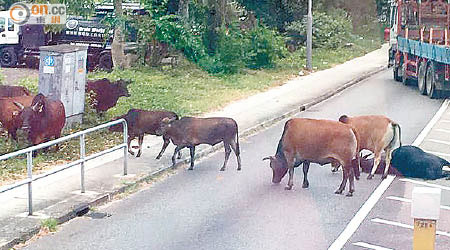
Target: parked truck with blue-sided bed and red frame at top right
419,44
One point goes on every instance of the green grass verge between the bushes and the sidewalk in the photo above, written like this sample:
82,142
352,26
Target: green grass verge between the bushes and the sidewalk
185,89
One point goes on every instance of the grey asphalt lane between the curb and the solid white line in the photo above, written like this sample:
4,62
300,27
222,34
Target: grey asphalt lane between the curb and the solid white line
209,209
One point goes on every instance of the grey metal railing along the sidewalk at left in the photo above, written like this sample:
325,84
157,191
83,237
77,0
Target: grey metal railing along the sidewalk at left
81,161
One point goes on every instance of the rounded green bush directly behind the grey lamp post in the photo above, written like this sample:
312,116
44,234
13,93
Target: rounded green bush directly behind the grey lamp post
329,30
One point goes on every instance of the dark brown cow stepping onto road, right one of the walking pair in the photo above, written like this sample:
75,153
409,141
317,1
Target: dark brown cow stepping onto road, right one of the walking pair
190,132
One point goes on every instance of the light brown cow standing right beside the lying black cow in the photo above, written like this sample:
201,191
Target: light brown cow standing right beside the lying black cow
376,133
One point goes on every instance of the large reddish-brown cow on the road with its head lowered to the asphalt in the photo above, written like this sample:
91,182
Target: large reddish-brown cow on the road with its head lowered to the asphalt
314,141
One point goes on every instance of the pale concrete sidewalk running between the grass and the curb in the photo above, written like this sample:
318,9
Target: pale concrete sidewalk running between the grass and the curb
59,195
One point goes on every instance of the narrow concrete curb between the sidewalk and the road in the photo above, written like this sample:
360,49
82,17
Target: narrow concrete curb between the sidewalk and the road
83,208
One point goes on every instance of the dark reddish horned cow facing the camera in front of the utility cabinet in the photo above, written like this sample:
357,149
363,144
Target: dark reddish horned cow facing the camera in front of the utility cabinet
44,119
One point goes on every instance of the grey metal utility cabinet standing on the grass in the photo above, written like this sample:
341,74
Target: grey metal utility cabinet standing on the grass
62,76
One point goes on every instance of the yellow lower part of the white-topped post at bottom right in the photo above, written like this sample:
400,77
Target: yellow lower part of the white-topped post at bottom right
424,234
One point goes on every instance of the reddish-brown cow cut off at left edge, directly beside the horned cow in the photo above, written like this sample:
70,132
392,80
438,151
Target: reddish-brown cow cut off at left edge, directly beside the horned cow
9,109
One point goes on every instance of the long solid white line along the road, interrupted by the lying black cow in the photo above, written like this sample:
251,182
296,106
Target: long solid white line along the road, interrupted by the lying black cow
362,213
